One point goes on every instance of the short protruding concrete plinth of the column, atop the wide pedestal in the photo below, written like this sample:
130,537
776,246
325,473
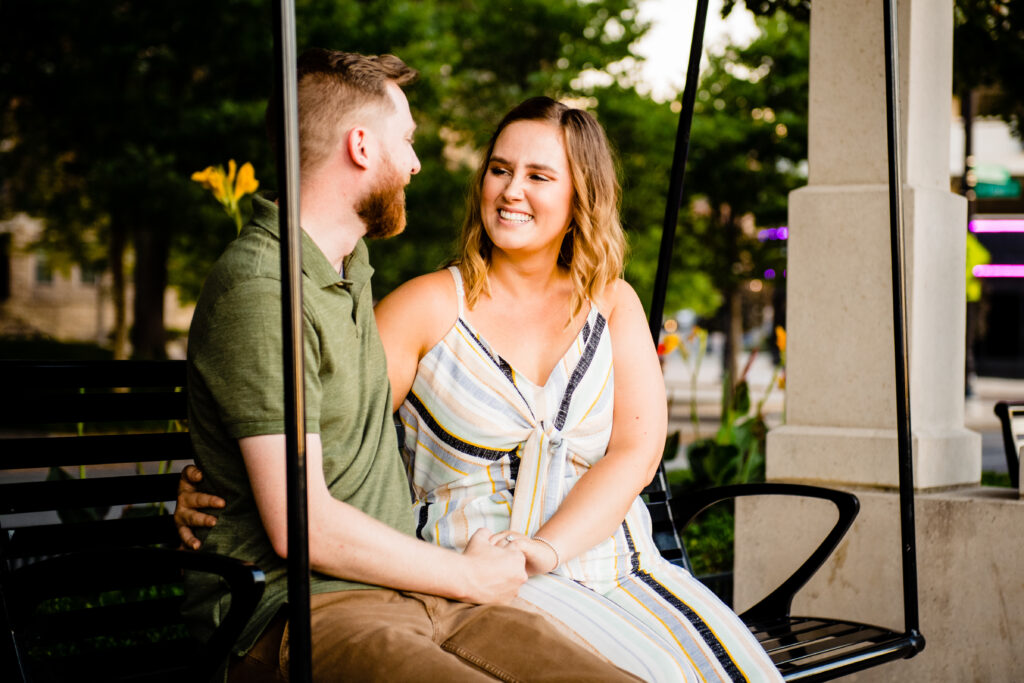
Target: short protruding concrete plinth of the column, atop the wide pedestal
833,456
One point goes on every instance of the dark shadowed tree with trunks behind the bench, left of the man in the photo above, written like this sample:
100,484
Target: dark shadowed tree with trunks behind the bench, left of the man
108,108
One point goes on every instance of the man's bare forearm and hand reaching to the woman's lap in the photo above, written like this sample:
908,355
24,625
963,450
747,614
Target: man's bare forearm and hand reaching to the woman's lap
347,543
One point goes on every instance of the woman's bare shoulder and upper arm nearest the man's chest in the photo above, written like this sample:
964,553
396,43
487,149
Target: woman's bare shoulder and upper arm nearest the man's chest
412,320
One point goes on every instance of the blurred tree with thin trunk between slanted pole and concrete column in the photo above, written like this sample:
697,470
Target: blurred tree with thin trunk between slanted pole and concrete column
749,151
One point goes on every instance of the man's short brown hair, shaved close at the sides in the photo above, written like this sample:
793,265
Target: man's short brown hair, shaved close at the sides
334,89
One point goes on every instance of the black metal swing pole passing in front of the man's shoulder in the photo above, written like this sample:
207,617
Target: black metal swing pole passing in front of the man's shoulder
301,657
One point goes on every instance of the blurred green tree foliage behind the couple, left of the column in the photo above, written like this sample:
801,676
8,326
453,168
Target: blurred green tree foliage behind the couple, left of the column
107,110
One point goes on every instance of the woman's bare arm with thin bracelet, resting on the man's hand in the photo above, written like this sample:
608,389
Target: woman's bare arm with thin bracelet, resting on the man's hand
600,501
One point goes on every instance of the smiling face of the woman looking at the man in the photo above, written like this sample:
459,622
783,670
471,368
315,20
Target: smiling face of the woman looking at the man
527,199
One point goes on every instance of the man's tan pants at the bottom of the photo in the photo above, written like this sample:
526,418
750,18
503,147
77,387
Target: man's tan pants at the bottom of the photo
385,635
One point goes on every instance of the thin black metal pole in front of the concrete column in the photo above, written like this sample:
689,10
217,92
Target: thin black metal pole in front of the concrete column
898,242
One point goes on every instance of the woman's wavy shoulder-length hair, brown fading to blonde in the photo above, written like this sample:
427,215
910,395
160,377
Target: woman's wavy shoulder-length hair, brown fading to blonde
594,248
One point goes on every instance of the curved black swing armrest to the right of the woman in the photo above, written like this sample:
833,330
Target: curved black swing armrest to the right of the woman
778,604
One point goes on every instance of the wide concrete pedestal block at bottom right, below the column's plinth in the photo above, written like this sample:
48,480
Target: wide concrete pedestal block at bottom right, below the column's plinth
970,575
